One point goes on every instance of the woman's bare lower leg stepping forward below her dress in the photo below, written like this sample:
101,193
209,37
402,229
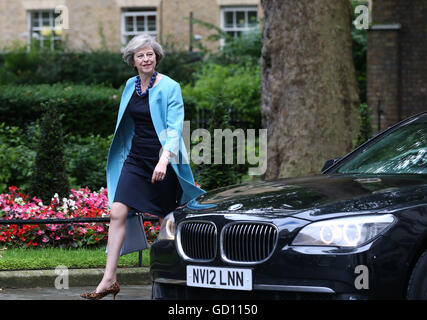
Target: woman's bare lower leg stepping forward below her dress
116,236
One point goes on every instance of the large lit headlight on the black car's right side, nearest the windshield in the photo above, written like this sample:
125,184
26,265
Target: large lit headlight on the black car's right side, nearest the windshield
343,232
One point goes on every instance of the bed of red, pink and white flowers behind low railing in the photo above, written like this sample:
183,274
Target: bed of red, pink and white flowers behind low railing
82,203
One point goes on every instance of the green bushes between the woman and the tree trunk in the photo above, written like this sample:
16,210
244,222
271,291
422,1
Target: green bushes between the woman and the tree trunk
224,95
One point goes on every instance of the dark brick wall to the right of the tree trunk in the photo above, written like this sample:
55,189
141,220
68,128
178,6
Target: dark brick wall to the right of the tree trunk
397,60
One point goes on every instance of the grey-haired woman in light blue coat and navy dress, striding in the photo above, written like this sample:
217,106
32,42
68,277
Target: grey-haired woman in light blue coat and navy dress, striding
147,166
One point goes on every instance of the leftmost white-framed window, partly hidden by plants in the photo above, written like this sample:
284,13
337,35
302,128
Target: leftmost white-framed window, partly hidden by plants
42,31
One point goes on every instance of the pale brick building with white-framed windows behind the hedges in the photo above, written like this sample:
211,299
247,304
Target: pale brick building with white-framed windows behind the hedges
92,24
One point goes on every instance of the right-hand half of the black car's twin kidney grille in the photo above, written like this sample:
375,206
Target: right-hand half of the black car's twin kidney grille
248,242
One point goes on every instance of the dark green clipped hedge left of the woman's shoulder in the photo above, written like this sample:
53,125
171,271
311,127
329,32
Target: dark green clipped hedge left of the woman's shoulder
86,109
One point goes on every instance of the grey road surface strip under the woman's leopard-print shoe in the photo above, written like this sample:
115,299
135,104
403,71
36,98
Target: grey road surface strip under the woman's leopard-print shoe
127,292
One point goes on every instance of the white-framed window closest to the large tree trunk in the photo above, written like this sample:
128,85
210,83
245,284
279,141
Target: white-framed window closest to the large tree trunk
238,20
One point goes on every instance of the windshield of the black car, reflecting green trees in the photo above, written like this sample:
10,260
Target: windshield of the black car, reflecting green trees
403,150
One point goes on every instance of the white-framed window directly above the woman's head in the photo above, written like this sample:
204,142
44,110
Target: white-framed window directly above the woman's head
136,21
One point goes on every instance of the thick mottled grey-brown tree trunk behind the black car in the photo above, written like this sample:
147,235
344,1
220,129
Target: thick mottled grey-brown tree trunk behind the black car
309,94
